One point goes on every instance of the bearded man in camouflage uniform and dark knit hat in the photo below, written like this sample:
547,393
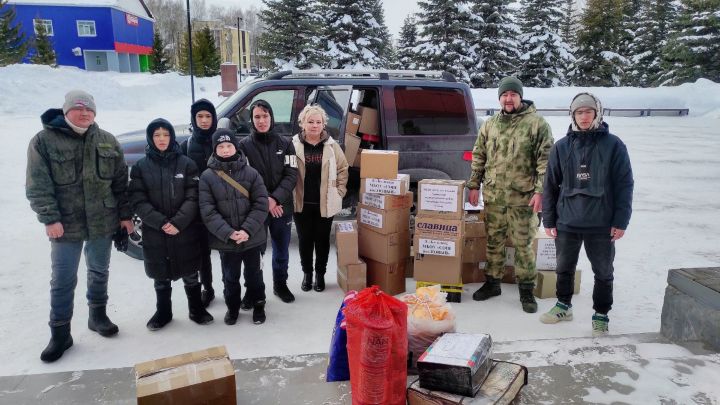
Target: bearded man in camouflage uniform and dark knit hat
509,159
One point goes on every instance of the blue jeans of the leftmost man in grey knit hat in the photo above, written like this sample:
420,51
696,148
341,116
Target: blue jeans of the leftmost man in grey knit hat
65,257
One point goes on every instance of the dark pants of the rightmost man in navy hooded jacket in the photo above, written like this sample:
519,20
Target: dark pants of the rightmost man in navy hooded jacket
601,253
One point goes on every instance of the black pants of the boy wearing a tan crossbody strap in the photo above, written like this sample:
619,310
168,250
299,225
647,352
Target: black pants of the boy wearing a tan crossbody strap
232,264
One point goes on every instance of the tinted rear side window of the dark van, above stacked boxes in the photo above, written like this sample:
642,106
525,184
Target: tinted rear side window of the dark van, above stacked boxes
431,111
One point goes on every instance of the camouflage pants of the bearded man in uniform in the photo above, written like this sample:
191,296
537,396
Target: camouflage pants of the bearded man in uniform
519,224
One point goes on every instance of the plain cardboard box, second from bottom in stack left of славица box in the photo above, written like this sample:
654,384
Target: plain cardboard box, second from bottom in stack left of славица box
388,248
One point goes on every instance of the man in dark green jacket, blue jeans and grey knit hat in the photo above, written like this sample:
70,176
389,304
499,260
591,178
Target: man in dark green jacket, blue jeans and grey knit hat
76,183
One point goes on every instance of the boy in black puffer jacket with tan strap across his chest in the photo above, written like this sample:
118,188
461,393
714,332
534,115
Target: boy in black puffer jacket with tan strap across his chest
234,206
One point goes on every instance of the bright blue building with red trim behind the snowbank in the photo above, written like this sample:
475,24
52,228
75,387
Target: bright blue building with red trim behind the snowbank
96,35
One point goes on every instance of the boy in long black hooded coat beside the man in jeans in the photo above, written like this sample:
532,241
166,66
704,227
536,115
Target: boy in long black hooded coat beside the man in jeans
164,194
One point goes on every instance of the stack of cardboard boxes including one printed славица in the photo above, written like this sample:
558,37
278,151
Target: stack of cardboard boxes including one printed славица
439,235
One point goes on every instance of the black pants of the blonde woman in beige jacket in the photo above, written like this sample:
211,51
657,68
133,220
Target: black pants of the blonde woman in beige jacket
313,234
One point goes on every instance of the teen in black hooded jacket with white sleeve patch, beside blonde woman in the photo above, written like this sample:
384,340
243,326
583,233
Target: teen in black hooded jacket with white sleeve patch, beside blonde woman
273,156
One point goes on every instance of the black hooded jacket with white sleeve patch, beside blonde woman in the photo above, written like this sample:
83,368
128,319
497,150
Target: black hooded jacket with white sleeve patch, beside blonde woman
273,156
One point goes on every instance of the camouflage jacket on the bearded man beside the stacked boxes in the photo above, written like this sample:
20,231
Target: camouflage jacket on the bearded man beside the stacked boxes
510,156
